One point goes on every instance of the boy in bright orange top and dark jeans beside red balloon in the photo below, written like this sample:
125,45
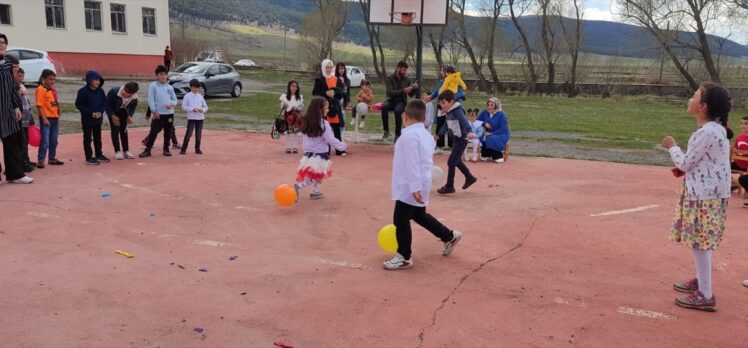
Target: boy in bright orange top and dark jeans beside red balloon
49,118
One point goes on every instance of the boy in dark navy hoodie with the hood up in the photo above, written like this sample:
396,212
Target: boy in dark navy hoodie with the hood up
91,102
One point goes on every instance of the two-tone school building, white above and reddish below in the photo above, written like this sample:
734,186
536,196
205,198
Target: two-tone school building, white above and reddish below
114,37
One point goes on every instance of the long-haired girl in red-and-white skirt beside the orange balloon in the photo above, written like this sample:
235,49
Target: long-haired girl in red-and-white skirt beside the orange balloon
317,137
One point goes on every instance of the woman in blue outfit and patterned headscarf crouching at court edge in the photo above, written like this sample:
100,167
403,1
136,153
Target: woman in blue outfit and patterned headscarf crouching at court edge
497,131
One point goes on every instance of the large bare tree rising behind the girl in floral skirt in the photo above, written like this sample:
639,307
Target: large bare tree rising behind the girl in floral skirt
686,24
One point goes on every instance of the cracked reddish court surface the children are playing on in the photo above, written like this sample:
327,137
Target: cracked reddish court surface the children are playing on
556,253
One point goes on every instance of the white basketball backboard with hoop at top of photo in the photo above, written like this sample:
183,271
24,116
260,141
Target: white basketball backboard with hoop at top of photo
408,12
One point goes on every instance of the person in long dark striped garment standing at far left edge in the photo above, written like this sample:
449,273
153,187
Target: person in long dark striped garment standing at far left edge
10,114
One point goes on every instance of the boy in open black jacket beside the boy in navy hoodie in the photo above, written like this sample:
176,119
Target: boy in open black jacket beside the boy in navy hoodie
121,103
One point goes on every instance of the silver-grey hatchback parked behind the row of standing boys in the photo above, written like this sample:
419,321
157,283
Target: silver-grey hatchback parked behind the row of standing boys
215,78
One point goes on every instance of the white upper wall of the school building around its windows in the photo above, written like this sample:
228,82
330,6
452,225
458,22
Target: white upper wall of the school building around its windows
29,28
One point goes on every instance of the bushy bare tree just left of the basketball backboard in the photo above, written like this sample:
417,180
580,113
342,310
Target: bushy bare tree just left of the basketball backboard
322,26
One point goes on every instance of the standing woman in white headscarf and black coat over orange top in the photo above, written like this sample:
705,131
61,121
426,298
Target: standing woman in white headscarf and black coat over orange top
331,88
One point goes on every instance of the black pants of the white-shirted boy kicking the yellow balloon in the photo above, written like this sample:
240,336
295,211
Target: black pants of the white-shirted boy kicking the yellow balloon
403,214
